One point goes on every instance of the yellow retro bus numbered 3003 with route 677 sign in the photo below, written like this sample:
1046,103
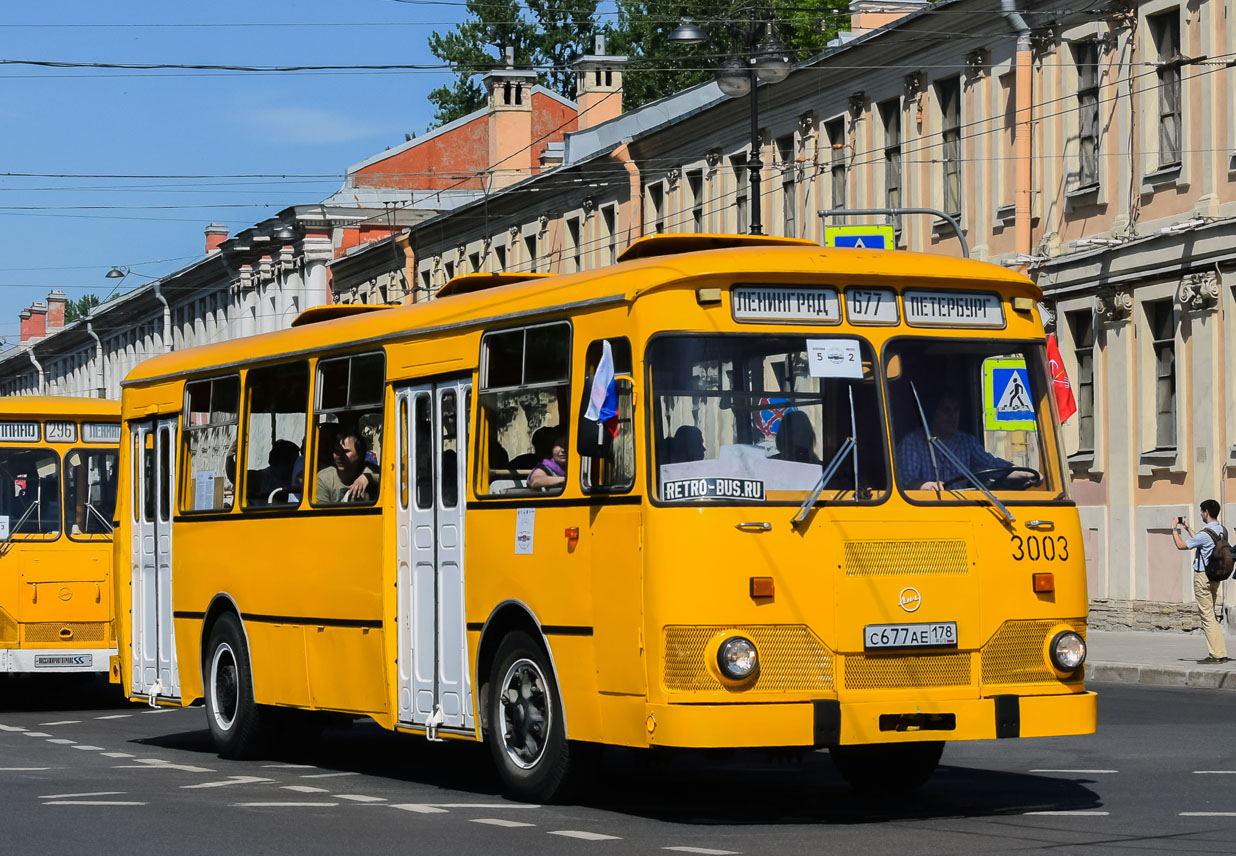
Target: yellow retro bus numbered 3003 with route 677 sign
730,492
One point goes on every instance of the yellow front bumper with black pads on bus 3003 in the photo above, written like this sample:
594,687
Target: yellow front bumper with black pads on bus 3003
829,723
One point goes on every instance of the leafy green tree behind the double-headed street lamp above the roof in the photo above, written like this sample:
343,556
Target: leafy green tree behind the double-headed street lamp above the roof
659,69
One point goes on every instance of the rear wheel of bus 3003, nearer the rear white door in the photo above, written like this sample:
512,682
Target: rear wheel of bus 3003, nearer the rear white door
234,717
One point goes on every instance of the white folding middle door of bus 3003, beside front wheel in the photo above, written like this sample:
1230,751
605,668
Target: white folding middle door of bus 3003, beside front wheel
436,686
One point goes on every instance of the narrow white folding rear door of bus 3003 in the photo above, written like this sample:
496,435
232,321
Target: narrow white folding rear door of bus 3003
156,674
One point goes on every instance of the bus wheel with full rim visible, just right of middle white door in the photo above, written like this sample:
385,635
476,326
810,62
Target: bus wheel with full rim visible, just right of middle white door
527,734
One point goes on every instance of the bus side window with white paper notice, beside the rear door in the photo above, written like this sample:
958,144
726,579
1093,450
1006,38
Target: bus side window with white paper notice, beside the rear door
212,412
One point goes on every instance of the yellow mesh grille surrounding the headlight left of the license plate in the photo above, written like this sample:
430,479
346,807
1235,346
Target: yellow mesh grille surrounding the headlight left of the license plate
793,659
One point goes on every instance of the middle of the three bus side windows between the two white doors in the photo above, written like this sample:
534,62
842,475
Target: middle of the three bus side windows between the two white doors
275,435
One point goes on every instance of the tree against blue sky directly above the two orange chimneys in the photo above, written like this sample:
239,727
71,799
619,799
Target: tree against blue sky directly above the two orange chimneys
548,35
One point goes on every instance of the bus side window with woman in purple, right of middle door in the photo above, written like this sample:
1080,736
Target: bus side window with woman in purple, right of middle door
526,385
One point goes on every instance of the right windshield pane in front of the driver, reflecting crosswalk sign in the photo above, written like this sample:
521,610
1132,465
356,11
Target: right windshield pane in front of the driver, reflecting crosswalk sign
986,406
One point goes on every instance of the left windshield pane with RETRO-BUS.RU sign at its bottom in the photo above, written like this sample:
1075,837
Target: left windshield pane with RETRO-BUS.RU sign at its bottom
756,419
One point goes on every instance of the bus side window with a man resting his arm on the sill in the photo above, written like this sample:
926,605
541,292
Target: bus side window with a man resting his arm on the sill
348,416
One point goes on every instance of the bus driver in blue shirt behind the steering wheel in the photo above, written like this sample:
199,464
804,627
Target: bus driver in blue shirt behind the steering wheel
915,459
